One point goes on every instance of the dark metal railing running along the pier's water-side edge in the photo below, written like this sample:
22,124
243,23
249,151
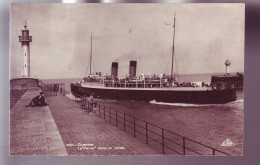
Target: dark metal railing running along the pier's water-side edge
167,141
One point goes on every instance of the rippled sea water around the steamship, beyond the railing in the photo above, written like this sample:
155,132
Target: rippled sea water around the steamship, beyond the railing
209,124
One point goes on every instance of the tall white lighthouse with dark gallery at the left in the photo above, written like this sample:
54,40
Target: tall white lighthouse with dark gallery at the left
25,40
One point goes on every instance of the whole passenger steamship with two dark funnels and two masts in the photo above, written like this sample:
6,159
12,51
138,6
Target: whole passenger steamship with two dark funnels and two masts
149,88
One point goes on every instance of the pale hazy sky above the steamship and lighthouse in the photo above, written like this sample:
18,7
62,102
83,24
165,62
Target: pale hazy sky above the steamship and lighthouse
205,36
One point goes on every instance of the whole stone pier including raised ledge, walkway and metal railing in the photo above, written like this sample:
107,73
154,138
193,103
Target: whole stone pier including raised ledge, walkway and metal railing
64,127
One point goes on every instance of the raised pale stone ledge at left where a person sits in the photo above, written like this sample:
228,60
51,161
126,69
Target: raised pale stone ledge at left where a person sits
33,130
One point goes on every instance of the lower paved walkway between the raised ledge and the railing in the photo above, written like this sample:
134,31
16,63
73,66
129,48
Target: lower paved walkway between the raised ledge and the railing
88,134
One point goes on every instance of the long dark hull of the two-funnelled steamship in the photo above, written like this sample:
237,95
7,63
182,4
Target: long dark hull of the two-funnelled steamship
167,95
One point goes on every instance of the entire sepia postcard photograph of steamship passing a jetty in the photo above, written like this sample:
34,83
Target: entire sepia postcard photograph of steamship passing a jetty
127,79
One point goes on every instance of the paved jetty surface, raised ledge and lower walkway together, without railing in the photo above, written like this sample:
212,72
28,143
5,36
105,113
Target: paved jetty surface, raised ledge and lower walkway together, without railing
62,128
